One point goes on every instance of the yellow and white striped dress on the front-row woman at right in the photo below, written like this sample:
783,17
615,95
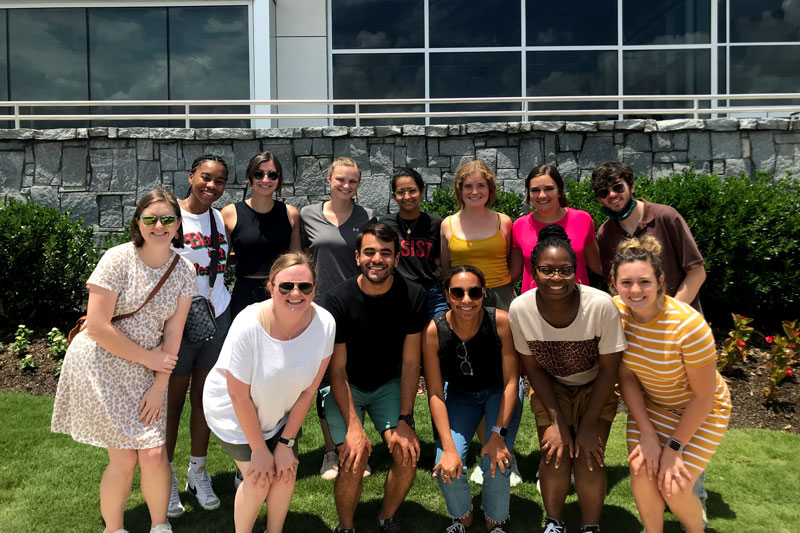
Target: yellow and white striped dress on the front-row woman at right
659,353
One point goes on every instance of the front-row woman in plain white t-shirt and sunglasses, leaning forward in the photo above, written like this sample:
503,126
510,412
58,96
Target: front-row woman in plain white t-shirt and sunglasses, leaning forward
258,393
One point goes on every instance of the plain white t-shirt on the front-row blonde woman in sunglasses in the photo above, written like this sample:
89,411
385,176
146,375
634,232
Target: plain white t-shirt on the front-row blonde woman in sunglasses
277,371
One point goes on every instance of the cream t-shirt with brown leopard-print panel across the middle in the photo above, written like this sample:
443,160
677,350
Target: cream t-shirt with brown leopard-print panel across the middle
568,354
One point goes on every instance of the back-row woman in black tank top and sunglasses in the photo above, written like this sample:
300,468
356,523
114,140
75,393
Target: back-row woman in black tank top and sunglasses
261,229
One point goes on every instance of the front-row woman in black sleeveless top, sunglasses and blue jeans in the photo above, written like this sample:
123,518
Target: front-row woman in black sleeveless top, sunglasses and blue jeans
472,371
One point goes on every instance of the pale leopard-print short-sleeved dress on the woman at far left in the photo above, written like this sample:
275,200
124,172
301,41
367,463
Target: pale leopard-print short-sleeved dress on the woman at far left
98,396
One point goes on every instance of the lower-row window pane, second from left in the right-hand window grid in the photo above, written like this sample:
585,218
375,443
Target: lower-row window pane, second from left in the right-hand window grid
479,74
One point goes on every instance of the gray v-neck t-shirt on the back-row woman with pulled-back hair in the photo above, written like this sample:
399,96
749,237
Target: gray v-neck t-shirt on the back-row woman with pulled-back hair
333,248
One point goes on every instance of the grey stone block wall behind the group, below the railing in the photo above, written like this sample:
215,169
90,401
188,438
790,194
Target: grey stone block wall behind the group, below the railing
98,173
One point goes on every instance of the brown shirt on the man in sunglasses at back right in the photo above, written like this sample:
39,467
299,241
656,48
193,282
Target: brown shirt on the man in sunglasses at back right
679,253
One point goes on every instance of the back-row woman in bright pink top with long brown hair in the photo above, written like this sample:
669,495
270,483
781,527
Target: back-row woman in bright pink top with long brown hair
544,196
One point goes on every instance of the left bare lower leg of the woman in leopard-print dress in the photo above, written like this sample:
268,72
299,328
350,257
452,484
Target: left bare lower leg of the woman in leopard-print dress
115,486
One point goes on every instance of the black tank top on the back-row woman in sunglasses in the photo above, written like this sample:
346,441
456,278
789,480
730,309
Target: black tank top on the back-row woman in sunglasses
259,238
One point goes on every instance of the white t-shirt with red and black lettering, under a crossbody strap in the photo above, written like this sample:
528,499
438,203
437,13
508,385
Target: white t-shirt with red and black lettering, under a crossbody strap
196,248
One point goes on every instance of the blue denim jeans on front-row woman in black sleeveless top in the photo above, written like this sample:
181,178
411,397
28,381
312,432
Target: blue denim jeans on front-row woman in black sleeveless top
465,410
